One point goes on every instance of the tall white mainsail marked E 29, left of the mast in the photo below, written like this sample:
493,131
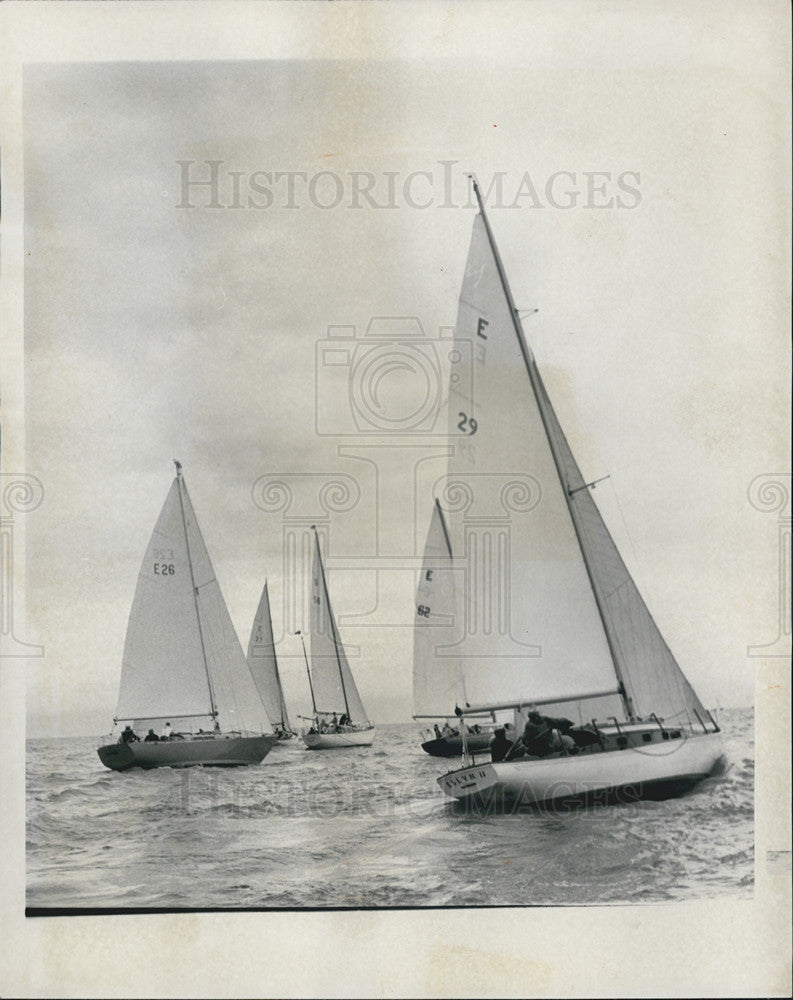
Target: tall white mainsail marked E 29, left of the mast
526,582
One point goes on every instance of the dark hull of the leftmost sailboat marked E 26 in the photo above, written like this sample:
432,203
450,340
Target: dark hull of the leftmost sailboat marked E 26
213,751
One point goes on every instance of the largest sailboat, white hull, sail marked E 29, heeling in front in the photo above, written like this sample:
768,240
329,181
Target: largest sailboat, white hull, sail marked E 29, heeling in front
632,723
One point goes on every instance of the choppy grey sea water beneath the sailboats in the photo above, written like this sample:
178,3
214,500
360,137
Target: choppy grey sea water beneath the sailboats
366,827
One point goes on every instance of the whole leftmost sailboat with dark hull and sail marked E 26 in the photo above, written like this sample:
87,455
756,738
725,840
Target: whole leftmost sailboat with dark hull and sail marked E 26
183,670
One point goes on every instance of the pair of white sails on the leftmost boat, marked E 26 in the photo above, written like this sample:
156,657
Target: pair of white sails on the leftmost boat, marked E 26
182,657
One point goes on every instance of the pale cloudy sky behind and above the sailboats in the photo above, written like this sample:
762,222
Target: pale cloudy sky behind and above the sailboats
635,206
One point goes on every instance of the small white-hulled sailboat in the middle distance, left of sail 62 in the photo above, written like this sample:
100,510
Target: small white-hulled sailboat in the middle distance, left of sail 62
339,718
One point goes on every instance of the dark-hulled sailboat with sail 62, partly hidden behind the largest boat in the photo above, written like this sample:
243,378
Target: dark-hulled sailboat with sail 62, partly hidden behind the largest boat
438,673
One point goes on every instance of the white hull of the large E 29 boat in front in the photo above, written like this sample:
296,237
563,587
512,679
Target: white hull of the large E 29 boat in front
656,770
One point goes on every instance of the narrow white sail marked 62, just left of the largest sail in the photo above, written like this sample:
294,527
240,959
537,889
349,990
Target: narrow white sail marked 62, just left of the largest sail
438,684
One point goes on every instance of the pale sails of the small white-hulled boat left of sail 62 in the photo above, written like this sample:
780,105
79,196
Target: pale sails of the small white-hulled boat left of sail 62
333,685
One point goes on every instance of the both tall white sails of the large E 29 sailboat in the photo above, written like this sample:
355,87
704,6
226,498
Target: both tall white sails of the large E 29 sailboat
569,592
